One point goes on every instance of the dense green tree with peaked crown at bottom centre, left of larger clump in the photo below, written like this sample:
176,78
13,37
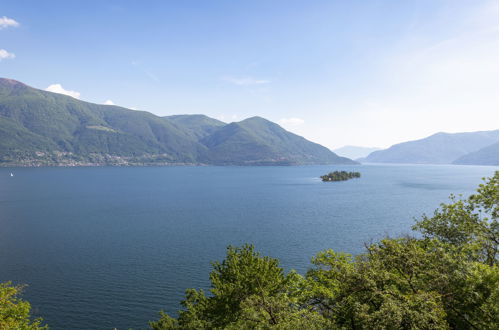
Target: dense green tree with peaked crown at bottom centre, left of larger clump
248,291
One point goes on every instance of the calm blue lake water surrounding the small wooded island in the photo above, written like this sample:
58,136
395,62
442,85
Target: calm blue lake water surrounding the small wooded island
109,247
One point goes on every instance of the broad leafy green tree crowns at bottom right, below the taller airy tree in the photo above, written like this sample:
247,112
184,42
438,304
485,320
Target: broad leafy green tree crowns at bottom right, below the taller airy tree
405,284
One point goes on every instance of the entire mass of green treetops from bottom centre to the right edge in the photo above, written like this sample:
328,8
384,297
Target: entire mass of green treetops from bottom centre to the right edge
447,279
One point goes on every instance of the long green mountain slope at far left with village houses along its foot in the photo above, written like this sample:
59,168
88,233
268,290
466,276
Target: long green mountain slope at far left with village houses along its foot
37,126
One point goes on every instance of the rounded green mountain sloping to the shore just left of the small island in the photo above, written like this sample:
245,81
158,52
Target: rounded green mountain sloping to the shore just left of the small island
259,141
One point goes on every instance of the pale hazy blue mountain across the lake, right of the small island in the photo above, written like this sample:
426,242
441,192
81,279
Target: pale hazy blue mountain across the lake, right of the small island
440,148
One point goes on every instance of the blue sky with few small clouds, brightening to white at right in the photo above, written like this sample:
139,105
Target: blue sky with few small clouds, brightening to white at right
367,73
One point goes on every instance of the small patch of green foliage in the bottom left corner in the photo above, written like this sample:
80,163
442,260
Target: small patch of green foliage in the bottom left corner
15,312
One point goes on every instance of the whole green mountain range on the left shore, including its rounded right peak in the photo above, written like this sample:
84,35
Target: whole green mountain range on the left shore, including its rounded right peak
43,128
